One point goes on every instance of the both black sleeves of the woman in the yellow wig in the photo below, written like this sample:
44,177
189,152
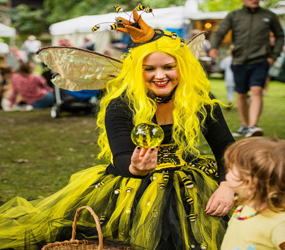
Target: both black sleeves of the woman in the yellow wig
119,125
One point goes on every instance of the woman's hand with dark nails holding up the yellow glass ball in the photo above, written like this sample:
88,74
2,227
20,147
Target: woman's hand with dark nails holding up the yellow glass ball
143,161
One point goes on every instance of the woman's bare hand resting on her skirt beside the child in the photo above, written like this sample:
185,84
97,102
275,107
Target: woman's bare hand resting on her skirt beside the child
221,201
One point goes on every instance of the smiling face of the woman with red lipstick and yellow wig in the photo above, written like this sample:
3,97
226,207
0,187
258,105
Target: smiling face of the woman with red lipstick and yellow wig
160,73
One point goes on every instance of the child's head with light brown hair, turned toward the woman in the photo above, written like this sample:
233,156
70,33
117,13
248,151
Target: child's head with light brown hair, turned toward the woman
256,171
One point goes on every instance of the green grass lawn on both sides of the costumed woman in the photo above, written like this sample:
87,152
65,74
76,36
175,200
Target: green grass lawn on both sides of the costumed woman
56,148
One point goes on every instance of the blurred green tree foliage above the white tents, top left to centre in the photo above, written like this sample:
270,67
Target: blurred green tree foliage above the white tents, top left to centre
28,21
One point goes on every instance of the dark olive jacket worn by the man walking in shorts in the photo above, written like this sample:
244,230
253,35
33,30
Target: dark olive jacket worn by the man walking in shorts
250,35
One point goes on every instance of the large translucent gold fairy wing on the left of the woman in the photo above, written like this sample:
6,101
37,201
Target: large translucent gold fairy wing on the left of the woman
79,69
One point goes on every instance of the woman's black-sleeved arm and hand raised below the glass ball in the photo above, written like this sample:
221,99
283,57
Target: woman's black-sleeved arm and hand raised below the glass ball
129,160
